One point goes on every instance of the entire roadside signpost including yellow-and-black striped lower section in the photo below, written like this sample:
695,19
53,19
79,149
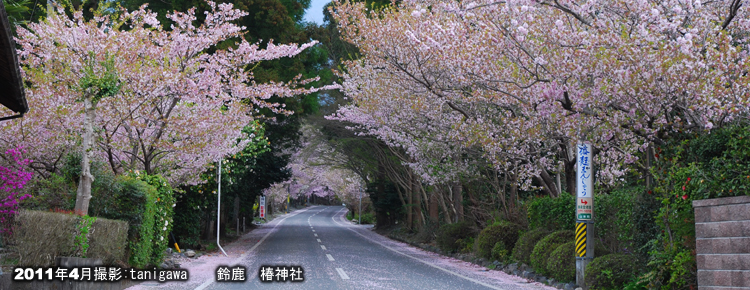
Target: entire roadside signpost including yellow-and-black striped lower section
584,214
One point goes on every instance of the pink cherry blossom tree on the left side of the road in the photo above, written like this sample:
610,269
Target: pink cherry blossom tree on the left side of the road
178,106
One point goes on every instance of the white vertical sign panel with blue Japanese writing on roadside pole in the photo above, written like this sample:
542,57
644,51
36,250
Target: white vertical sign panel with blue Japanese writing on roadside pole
584,182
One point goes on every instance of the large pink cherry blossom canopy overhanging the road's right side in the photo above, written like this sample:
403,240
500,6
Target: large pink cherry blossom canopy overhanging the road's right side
525,80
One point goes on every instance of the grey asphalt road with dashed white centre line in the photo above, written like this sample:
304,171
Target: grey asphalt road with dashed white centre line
335,254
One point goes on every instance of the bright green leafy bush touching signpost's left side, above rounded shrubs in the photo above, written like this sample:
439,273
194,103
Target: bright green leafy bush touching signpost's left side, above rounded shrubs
553,213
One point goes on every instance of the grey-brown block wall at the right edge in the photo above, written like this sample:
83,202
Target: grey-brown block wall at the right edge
722,238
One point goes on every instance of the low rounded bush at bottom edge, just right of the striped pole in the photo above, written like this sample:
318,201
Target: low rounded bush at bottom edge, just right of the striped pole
611,272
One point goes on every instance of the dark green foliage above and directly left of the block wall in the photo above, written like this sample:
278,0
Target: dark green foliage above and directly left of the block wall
693,166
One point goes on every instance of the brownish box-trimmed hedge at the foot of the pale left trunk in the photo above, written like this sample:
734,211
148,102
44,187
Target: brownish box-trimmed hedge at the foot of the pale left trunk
41,236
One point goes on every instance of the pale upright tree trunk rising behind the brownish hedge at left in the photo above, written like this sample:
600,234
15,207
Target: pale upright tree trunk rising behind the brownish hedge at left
83,196
